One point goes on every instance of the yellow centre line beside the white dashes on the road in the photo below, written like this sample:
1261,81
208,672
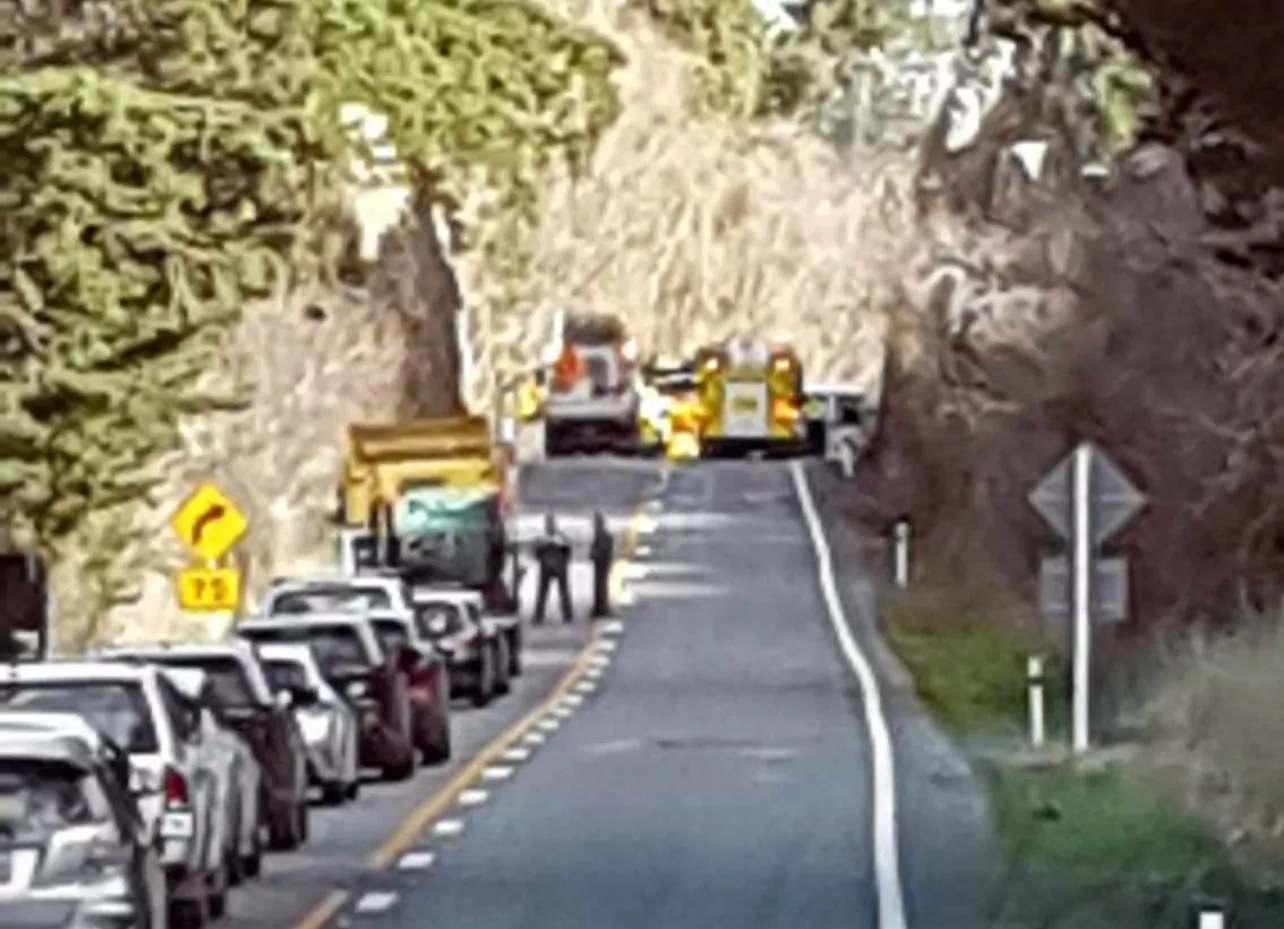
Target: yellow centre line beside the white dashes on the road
419,819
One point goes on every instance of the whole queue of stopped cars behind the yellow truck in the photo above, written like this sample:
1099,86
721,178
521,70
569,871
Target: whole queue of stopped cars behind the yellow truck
139,783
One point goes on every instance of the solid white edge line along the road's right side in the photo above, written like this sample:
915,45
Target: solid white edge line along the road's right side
892,896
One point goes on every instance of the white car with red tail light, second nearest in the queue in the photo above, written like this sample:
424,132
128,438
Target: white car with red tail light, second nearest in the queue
175,767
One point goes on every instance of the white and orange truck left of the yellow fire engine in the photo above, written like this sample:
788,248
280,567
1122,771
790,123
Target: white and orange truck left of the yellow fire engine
593,401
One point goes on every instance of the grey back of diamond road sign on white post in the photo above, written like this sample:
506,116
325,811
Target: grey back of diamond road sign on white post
1087,500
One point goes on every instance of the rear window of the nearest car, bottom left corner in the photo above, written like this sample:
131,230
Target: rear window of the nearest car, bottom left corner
39,797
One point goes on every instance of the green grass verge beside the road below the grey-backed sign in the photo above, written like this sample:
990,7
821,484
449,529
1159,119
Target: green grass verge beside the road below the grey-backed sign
1088,846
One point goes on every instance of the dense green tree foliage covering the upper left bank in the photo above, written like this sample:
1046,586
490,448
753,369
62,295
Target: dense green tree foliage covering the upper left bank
166,161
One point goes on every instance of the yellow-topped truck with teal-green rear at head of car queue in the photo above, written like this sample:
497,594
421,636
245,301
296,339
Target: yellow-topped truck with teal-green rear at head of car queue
436,497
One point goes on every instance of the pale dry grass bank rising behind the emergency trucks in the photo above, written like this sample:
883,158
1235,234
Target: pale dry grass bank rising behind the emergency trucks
695,230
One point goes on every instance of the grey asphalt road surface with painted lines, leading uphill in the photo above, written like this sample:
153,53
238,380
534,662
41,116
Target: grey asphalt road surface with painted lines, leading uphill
711,759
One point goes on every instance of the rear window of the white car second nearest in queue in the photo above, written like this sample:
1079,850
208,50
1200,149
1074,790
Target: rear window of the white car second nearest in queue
117,709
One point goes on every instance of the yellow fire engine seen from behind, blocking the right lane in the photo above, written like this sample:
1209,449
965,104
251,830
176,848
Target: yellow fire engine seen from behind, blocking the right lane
752,400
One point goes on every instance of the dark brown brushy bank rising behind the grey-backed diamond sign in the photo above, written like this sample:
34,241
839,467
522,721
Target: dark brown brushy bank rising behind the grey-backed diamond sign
1064,291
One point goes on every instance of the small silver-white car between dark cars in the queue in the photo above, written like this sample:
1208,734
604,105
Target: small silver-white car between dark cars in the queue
327,719
